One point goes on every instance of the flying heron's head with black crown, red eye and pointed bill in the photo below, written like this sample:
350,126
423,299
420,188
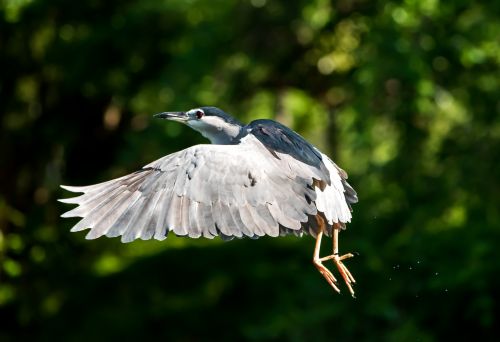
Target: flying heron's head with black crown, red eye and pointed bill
212,122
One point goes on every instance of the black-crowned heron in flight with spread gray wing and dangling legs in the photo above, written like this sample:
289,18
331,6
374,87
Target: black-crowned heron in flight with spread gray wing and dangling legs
252,180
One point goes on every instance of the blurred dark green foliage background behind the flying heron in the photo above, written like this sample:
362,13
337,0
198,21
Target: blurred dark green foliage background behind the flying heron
404,95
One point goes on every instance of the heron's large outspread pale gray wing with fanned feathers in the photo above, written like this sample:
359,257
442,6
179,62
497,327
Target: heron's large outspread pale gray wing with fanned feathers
205,190
